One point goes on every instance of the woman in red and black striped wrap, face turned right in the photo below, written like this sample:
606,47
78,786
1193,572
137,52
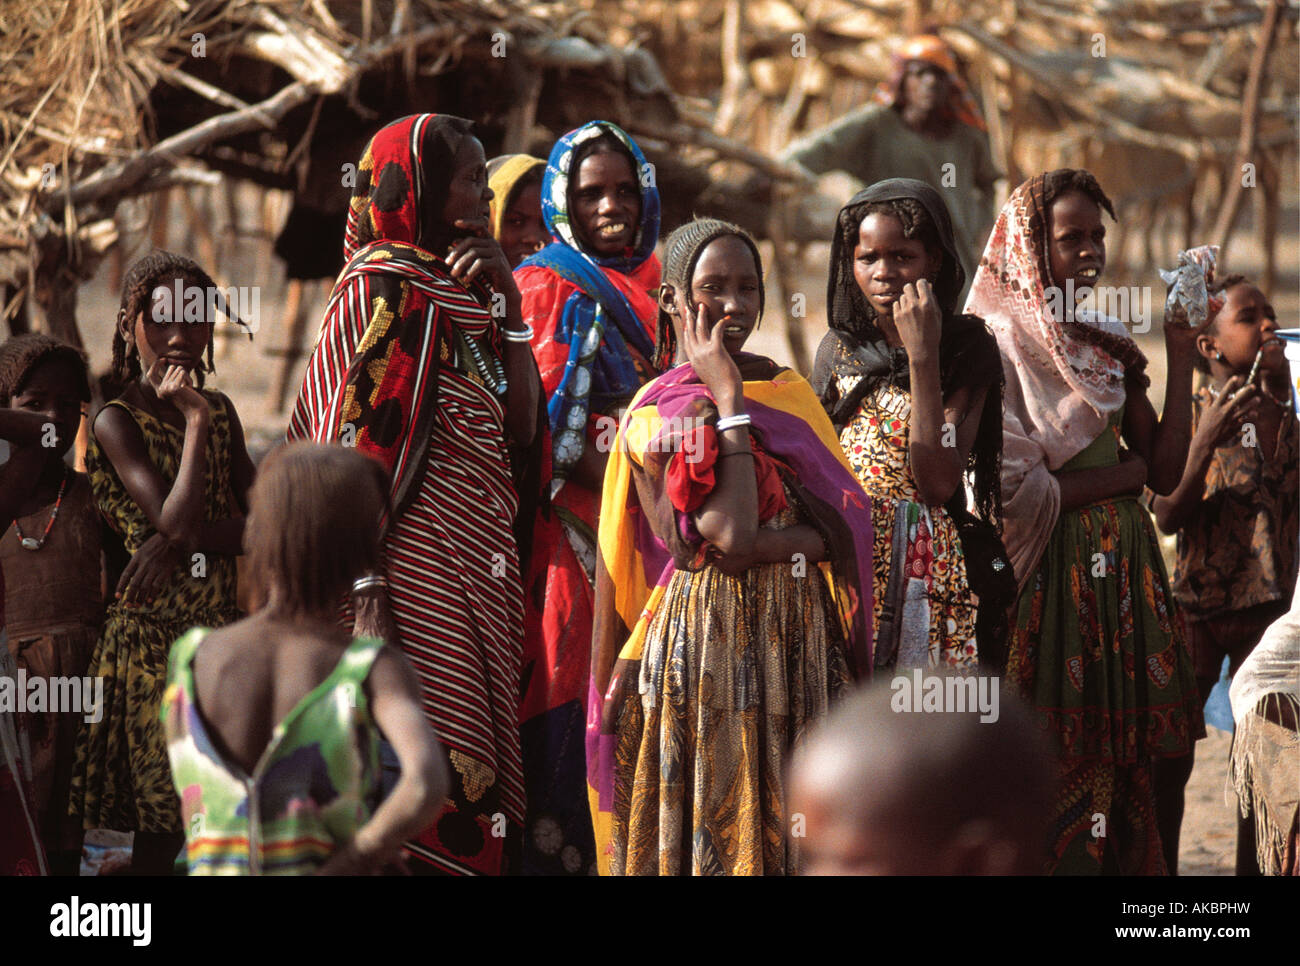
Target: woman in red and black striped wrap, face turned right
424,363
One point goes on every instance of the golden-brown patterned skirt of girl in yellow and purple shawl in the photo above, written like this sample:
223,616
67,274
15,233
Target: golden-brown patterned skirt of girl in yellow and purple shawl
734,673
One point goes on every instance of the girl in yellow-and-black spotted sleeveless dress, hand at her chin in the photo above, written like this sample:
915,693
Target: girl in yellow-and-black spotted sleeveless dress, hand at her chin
171,474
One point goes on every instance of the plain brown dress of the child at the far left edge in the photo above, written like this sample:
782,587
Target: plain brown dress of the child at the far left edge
54,607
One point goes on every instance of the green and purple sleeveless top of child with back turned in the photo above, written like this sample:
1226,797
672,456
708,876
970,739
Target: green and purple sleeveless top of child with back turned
318,781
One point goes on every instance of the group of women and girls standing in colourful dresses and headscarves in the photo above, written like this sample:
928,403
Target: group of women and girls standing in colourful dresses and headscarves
614,639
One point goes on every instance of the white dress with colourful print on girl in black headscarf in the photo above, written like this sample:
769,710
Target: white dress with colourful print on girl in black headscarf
924,612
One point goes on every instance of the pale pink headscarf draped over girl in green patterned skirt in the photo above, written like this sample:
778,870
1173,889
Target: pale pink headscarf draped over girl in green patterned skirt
1064,376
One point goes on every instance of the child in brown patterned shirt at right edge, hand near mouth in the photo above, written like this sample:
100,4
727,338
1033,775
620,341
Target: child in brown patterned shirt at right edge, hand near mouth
1237,509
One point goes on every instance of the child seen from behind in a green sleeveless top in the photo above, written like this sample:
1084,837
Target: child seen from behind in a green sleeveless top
274,724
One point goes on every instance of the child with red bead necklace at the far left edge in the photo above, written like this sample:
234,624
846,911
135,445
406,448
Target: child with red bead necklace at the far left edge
54,594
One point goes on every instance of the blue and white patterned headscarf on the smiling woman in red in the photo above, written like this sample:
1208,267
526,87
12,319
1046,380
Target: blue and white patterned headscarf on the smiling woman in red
586,320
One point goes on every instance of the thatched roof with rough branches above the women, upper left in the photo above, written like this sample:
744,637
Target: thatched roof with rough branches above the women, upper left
119,98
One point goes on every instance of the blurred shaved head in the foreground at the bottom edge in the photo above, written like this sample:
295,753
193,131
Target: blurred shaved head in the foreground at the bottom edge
885,792
